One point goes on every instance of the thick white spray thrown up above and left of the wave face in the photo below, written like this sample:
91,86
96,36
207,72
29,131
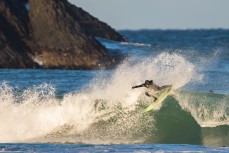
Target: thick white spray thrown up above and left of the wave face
36,112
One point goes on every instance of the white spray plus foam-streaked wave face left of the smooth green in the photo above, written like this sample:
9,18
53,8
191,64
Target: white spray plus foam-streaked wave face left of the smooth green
36,114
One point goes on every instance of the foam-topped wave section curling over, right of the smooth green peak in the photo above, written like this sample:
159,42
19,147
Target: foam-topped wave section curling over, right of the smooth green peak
209,109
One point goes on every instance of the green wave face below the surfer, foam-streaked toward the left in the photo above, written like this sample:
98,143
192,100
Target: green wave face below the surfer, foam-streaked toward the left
169,124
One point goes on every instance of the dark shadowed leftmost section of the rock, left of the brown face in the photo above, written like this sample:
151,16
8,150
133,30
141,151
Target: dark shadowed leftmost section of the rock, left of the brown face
13,32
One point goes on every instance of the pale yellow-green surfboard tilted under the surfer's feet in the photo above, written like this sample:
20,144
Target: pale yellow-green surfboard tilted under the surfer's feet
161,97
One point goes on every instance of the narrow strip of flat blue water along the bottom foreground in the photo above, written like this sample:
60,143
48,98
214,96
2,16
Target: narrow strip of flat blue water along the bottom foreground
73,148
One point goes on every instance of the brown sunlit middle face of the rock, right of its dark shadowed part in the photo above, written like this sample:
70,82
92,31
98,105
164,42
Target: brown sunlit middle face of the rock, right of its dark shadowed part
59,39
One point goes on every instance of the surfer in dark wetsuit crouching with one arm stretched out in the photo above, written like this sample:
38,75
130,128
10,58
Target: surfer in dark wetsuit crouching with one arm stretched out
153,87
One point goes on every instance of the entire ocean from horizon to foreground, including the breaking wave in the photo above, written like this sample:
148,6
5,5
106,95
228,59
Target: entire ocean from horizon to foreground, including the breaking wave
98,111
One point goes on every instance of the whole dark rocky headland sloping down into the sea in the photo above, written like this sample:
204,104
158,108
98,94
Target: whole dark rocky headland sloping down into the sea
53,34
